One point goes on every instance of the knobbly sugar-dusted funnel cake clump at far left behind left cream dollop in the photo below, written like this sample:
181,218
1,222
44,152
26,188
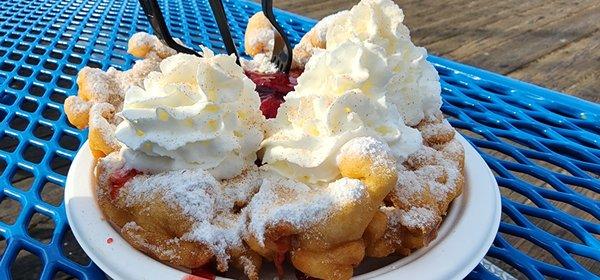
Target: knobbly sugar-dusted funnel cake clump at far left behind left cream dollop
101,94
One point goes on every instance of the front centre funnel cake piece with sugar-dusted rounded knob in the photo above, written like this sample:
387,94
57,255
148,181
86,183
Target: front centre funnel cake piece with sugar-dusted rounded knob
322,227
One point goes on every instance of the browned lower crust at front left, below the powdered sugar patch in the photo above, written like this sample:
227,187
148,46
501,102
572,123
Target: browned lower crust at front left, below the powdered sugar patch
157,227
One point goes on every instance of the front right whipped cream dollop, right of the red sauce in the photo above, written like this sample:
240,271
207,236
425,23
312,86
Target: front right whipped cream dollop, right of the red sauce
341,95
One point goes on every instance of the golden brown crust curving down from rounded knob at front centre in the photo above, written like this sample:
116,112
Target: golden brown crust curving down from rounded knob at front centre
331,248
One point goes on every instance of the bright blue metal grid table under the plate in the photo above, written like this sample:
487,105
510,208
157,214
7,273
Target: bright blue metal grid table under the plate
544,147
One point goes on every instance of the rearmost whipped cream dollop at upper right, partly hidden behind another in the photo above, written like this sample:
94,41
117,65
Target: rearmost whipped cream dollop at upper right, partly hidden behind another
414,87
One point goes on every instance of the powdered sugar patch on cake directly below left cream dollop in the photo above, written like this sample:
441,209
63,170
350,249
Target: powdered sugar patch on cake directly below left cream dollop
208,203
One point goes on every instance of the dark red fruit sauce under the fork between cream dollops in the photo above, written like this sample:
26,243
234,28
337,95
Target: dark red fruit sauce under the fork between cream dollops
272,88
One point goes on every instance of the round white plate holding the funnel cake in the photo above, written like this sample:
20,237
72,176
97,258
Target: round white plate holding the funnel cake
463,239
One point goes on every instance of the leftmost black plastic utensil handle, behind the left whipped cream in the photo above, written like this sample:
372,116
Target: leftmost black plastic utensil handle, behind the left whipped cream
157,21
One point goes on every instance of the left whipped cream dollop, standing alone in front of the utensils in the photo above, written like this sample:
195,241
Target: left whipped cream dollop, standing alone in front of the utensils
197,112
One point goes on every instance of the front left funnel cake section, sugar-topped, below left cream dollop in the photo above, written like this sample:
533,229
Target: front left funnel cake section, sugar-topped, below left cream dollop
185,218
